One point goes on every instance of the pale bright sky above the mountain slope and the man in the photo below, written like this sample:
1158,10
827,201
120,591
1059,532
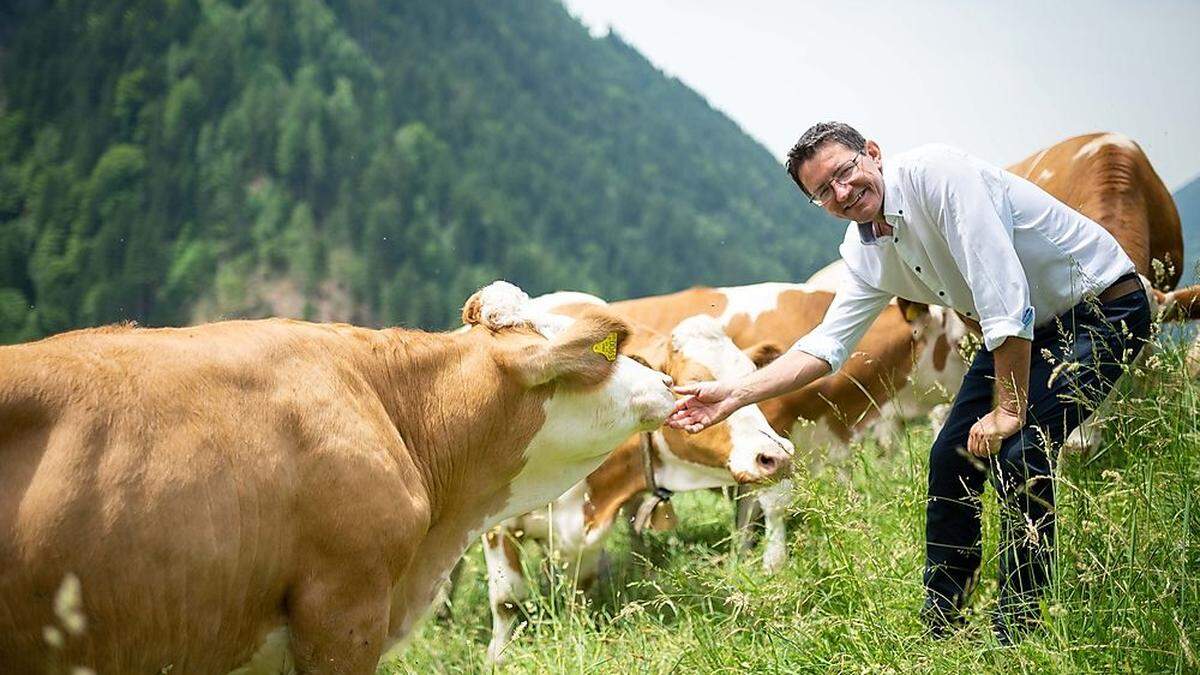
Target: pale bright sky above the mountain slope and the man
999,80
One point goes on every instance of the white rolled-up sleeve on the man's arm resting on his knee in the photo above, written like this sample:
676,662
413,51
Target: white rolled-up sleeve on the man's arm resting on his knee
981,242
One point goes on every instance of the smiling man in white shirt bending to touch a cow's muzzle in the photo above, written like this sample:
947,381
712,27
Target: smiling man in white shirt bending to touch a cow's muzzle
1047,288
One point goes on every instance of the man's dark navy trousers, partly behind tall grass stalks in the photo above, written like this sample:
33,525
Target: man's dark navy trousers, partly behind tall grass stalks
1100,338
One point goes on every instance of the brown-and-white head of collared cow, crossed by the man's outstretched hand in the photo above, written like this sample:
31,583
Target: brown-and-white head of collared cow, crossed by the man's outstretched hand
742,450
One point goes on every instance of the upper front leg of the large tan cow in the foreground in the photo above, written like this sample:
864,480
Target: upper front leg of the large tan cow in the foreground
339,620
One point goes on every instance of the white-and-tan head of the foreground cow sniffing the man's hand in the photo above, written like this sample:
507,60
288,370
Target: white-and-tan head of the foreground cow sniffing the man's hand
595,398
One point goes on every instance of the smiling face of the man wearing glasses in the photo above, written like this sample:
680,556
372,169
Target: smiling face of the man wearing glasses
861,196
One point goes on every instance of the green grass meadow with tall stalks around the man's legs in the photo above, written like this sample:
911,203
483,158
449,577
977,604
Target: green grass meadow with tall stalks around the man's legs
1126,595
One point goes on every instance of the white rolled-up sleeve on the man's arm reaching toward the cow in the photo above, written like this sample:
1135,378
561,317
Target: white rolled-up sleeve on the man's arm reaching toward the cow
847,321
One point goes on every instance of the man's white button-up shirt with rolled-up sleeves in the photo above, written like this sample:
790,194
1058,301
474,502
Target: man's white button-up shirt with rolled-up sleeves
974,238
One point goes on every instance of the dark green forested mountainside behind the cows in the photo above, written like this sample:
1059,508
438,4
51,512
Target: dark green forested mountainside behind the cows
171,162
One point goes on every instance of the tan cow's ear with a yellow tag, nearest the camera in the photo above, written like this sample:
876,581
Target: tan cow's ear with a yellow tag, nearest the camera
584,355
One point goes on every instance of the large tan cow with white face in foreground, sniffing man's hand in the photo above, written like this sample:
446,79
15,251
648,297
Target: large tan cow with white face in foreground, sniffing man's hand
284,494
